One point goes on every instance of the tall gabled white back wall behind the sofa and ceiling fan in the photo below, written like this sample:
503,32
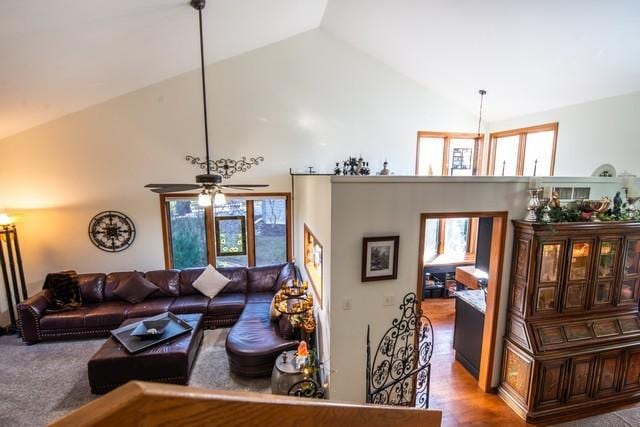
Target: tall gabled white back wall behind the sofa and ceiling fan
308,100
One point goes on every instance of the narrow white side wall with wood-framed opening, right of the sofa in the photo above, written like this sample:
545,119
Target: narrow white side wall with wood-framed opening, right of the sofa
312,206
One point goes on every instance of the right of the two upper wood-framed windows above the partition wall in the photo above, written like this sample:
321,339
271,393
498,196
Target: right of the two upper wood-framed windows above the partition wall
523,152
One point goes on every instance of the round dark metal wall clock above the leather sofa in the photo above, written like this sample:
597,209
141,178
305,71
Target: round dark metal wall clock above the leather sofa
112,231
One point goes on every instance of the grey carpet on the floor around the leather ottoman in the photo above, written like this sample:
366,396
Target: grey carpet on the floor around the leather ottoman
41,382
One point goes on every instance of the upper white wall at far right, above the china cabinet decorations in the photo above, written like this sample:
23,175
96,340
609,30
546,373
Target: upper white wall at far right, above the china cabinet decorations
590,134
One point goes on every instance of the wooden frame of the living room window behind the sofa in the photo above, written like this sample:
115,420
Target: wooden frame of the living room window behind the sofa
210,225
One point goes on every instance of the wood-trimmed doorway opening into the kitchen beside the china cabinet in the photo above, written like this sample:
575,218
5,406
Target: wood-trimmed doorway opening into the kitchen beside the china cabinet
461,252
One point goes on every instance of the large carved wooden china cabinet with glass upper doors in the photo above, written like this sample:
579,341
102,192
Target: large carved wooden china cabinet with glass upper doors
572,340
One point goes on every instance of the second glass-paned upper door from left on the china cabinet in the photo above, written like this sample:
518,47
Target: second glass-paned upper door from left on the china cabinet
578,275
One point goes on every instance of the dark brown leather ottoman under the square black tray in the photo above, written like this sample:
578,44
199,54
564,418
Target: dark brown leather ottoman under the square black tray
168,362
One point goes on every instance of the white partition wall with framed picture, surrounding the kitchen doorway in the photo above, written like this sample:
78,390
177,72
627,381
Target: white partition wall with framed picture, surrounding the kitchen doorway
379,206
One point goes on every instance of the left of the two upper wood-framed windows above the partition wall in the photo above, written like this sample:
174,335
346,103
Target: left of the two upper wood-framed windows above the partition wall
442,153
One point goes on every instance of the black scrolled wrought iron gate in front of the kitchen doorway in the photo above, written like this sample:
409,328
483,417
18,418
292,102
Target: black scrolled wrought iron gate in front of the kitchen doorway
400,372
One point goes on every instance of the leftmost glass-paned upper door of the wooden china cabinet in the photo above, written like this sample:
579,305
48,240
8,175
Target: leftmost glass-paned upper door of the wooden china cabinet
549,276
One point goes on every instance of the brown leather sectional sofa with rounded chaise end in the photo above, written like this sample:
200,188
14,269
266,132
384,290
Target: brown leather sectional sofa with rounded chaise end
252,344
